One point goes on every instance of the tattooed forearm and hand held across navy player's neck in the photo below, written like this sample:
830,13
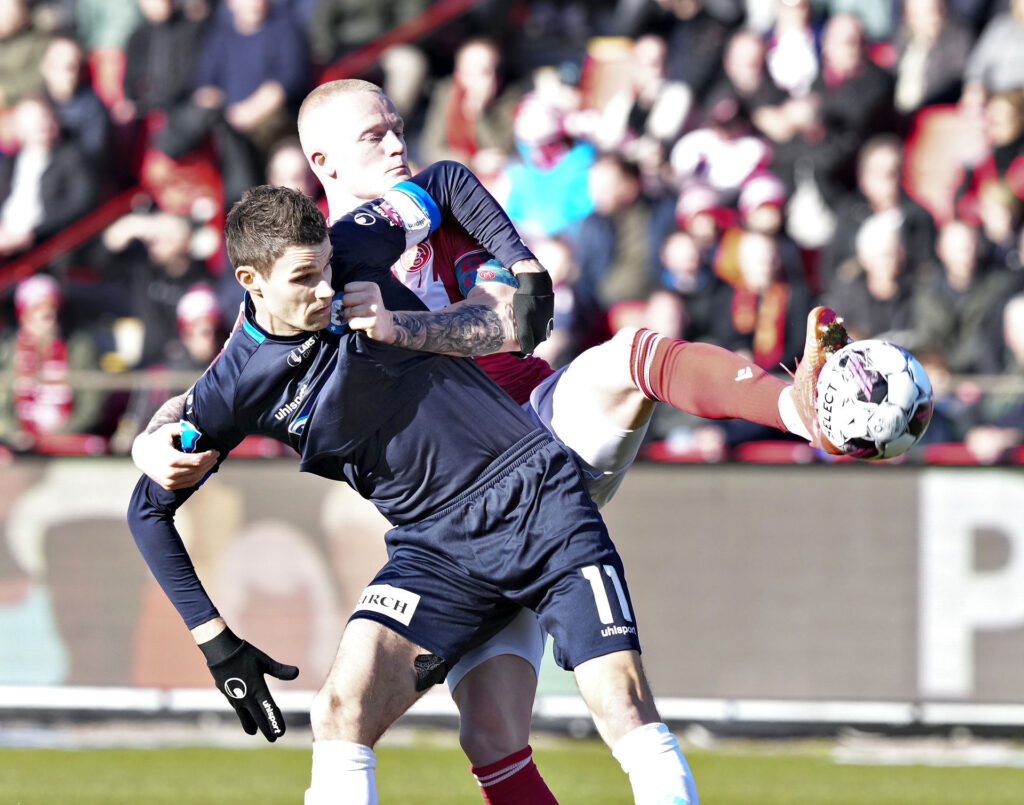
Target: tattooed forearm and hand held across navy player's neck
480,325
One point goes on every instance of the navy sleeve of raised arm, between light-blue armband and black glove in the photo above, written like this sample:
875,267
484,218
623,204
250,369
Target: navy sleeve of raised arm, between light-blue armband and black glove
461,196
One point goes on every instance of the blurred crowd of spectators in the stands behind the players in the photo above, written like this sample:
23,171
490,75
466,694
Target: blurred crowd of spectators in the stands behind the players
708,168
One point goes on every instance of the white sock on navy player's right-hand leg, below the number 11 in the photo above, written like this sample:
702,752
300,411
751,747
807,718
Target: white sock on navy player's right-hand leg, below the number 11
659,773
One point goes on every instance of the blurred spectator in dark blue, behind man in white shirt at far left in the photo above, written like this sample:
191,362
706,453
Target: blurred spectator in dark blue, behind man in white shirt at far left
80,112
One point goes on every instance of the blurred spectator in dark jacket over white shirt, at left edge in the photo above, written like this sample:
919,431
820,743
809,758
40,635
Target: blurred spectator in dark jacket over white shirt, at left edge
48,185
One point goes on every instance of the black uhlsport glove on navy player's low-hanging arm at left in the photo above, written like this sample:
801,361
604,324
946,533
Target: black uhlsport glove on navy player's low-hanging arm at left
238,669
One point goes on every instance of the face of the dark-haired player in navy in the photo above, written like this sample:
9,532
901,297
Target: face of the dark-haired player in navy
295,296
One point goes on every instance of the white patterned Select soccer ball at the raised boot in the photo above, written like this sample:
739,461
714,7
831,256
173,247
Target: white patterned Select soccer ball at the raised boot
874,400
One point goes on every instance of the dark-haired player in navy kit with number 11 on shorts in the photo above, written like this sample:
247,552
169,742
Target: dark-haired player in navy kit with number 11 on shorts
487,520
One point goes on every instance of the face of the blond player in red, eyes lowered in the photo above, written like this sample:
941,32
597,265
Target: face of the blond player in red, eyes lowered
367,145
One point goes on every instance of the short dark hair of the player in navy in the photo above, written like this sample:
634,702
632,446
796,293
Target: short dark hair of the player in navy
267,222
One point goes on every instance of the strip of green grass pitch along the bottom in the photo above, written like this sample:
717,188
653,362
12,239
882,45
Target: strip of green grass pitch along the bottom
579,773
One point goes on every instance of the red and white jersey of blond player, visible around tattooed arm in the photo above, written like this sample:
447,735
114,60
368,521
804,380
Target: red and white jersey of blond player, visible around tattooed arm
437,272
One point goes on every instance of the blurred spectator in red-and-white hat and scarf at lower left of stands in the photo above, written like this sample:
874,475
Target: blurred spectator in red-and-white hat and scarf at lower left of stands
40,400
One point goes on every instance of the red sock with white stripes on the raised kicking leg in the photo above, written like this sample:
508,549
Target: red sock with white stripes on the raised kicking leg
705,380
